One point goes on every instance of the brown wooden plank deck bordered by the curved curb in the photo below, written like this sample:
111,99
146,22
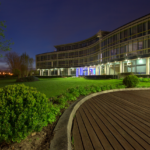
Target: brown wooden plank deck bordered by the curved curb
118,120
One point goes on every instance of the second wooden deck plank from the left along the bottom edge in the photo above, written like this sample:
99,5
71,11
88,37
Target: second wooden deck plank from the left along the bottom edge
85,137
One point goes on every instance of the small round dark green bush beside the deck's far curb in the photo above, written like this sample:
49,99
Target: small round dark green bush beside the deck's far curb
131,81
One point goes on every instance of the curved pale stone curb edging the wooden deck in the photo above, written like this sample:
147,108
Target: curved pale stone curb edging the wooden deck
62,131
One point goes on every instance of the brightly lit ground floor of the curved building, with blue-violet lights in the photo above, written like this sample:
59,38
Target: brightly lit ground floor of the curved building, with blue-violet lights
137,66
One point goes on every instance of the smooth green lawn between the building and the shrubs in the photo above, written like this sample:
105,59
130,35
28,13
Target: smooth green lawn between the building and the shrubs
56,86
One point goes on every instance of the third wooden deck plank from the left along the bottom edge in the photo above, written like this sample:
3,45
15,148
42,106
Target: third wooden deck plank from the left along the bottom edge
95,141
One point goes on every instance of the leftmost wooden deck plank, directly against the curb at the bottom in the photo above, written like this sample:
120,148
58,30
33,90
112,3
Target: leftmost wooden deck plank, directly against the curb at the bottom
76,135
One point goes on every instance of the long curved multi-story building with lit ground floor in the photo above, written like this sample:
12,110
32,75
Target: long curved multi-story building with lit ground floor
125,49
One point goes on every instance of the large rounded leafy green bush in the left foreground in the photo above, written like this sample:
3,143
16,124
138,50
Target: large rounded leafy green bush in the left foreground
23,110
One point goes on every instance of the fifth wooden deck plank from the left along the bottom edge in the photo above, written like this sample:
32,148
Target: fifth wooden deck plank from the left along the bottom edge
115,144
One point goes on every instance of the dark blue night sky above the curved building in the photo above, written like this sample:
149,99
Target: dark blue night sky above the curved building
35,26
